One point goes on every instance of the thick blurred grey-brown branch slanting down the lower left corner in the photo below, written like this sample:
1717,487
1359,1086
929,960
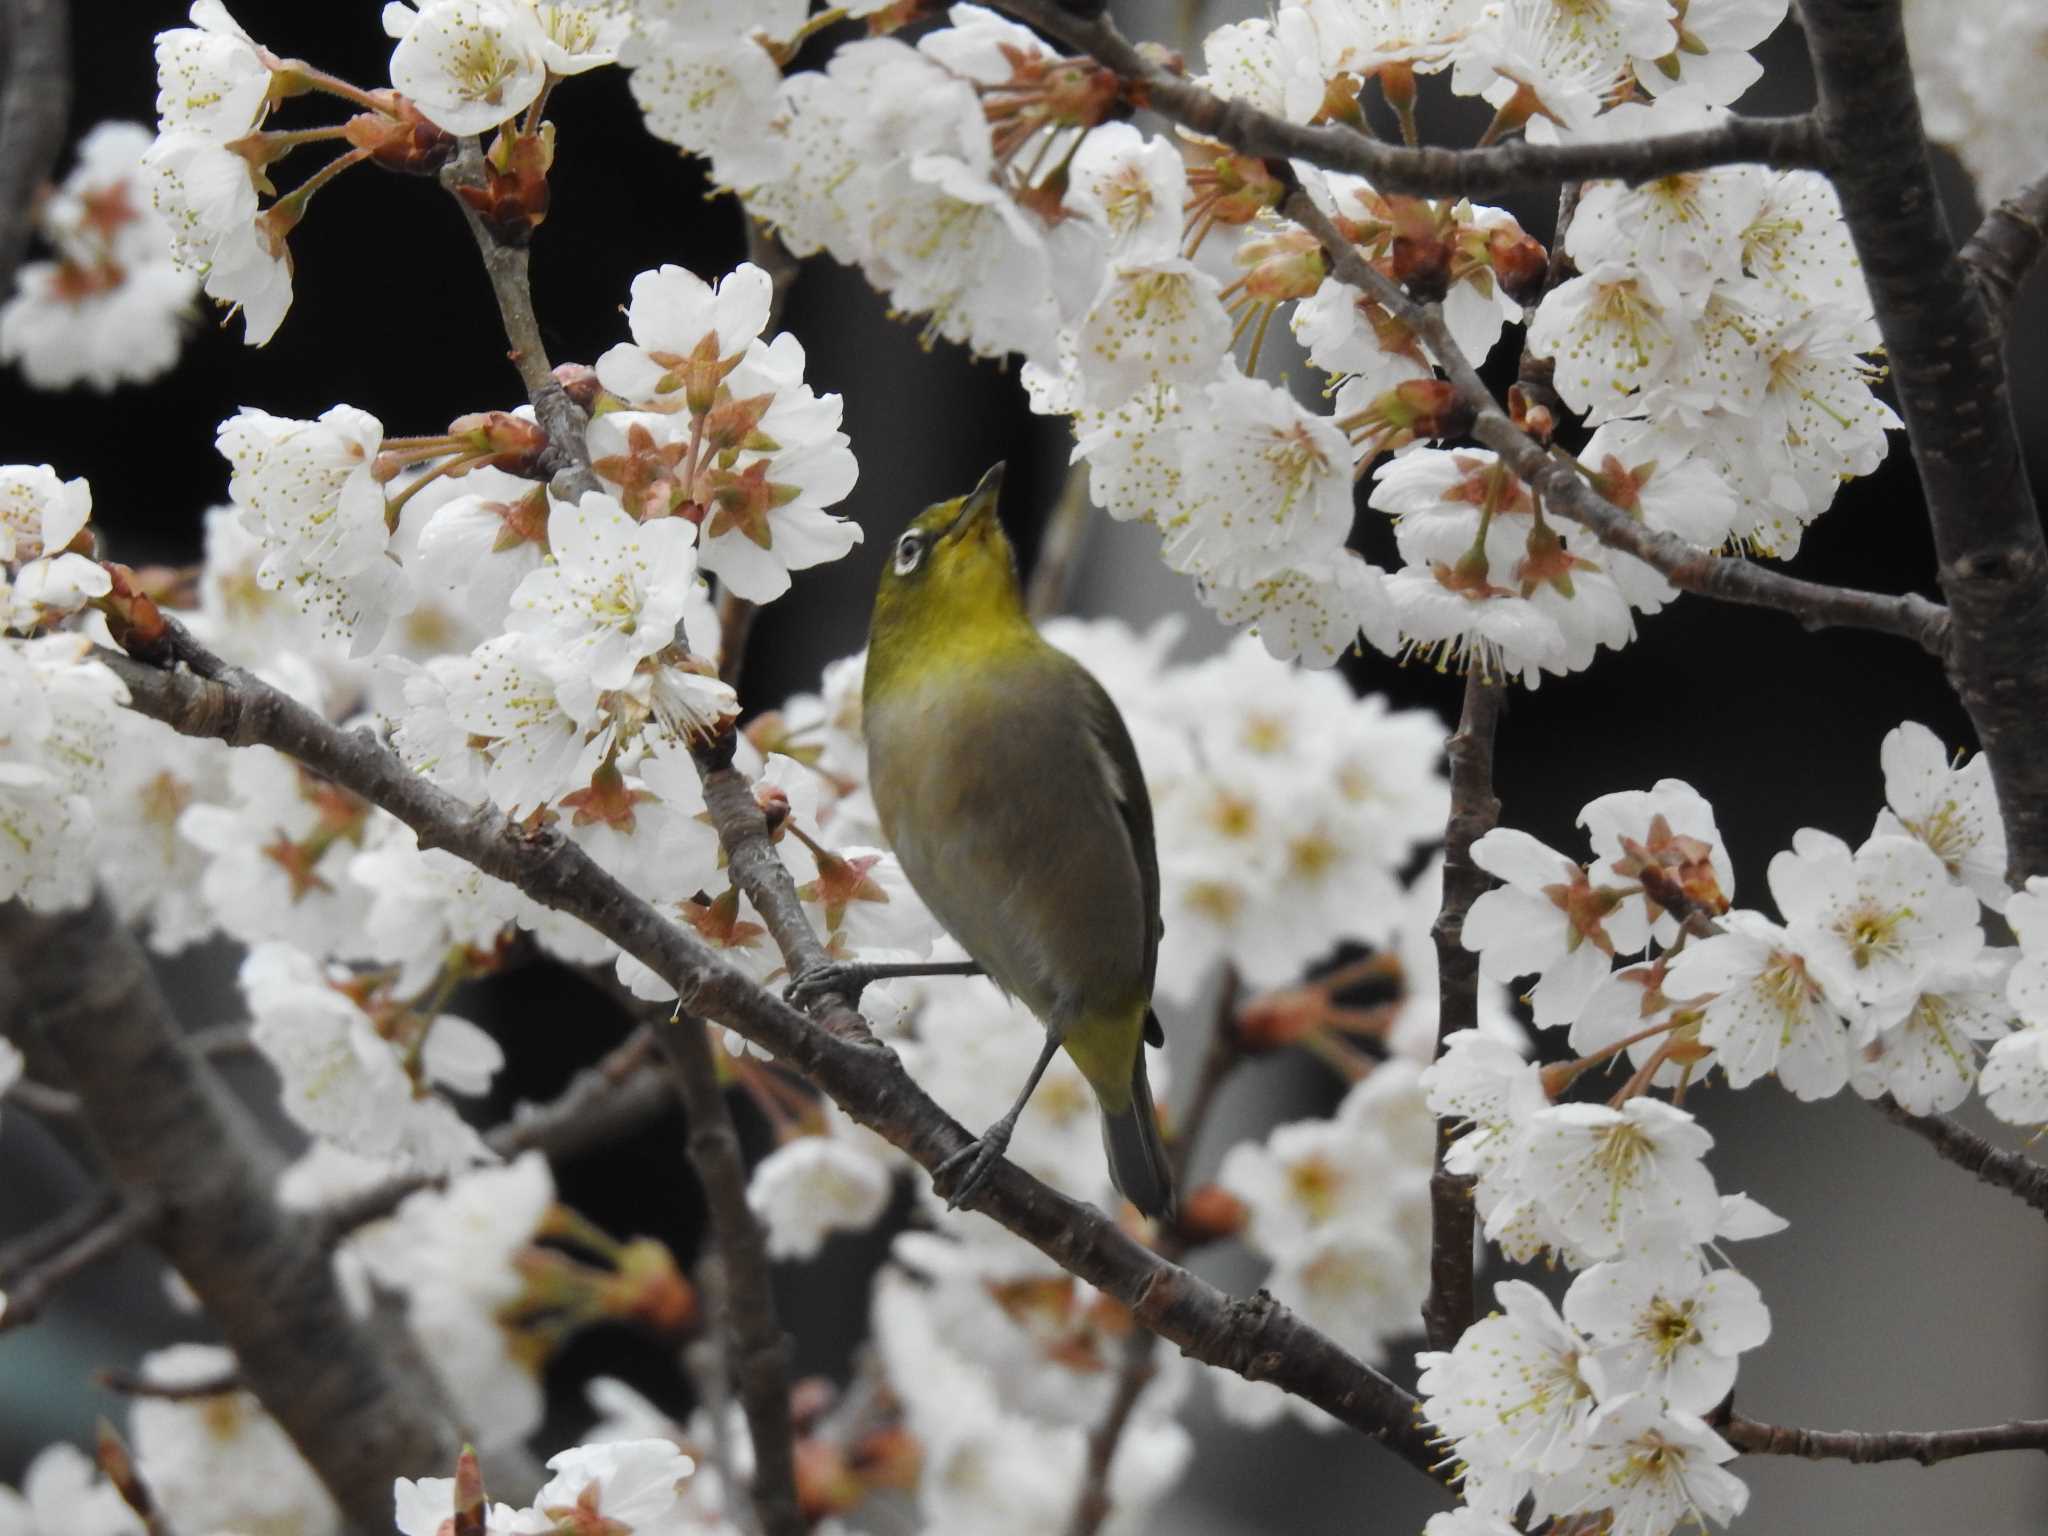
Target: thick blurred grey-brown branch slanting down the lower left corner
77,992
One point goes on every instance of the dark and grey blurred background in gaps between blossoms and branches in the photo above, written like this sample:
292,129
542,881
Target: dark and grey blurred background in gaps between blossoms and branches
1904,1295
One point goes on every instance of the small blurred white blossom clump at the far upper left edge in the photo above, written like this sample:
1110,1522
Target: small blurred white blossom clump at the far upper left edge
112,306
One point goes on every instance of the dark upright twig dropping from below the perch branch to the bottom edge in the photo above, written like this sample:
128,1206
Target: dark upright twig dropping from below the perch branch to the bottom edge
761,1353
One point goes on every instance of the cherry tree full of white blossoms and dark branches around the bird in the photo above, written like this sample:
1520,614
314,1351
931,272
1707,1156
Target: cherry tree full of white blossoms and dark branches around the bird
443,706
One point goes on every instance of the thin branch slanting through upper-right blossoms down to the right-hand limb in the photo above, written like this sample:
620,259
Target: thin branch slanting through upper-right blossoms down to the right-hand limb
1564,490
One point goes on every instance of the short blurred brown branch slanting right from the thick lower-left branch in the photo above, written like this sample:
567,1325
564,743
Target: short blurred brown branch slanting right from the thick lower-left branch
605,1103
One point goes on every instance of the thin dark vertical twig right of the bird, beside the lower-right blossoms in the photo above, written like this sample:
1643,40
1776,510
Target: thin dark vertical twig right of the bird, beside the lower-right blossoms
1474,814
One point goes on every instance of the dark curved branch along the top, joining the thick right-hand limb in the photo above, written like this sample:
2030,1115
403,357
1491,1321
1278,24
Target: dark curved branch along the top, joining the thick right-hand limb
1783,142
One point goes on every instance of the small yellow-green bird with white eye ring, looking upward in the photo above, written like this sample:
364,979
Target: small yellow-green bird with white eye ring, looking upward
1013,796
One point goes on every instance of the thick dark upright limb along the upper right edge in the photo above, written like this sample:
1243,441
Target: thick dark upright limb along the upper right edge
1949,370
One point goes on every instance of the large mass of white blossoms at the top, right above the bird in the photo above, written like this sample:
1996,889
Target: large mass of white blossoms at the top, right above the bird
1715,335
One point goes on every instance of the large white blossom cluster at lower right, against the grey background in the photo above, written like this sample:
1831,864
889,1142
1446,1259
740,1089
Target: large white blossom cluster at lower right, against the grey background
1877,976
